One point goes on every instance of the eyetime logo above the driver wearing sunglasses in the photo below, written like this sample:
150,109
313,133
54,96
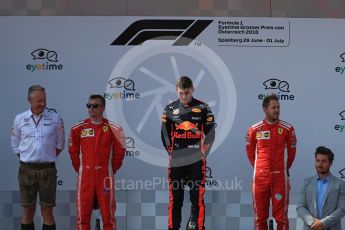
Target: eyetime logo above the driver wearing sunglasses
122,88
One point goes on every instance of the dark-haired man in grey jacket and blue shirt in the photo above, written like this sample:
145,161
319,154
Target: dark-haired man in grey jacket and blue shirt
321,201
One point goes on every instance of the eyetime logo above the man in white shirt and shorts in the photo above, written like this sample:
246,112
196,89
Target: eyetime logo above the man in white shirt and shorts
48,60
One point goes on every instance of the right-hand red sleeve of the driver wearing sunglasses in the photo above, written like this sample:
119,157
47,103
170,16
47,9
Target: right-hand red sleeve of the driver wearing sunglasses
119,149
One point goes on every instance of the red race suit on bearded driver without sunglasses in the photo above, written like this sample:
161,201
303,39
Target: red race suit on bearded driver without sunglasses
271,150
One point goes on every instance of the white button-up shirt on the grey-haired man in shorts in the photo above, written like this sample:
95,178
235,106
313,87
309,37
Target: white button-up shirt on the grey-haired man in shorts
36,138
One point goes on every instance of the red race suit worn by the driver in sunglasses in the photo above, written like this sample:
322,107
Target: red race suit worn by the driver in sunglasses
97,152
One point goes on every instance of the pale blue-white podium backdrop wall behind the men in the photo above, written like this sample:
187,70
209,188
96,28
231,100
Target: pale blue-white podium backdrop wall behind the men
233,61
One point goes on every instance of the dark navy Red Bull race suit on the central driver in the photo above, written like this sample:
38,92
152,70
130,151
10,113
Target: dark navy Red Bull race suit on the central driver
188,132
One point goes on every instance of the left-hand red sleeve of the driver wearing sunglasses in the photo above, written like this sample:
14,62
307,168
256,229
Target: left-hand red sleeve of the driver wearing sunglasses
74,148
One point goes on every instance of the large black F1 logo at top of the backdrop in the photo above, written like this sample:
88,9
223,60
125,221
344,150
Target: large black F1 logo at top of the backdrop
182,31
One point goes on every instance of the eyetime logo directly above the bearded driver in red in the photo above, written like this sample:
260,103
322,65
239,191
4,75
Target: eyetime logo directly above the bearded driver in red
280,88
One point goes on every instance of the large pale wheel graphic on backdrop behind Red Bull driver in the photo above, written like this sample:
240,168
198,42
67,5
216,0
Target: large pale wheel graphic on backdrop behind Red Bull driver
143,82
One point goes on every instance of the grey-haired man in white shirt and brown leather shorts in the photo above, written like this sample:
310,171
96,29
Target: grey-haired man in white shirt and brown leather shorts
38,137
